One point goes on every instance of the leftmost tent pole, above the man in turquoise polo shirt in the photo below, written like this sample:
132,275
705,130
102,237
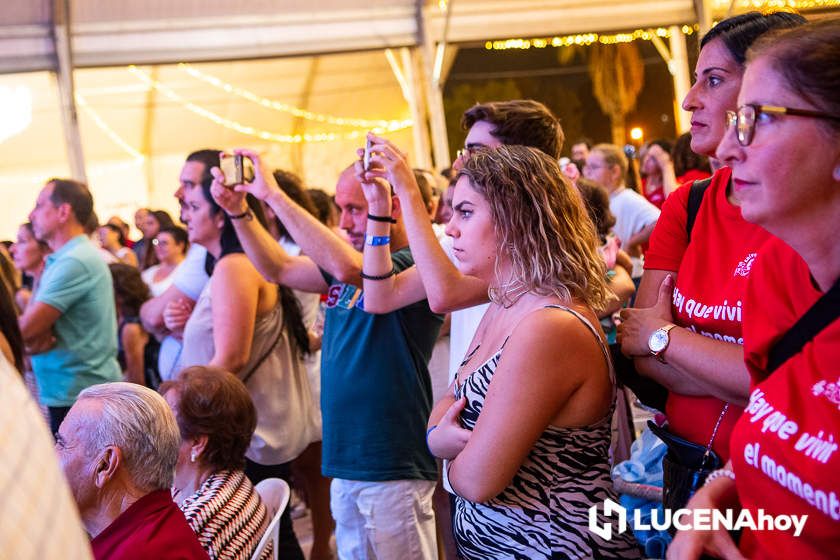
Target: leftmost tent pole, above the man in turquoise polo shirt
66,88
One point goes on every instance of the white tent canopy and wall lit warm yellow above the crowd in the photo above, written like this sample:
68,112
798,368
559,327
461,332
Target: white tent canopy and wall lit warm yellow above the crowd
251,62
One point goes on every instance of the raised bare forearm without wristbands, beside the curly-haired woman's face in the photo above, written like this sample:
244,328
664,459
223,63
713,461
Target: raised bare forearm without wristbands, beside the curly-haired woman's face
446,288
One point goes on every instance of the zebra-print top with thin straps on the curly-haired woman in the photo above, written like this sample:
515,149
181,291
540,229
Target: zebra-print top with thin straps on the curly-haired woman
544,512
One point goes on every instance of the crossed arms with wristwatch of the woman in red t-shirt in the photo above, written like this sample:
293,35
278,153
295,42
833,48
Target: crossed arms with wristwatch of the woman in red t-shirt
696,365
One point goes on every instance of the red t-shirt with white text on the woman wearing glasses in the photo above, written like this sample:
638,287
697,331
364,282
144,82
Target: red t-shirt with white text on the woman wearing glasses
785,446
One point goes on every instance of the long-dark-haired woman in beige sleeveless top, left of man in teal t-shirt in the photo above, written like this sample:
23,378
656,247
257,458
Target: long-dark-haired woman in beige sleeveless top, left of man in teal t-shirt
253,328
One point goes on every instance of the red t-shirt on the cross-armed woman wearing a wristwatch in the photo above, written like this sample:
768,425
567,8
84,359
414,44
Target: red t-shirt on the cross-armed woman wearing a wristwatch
712,274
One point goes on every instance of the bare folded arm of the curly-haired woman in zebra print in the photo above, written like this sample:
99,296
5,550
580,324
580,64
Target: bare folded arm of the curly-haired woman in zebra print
556,357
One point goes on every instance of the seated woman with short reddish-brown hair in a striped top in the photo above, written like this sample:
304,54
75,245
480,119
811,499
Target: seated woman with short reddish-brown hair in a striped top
216,418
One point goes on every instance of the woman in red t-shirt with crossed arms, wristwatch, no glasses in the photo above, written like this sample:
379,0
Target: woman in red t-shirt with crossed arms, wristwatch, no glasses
698,286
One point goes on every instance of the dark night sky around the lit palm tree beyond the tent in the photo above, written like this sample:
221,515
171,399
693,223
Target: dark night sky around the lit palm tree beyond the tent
567,90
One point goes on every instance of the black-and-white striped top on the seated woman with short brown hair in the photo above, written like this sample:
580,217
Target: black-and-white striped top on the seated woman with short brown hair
228,516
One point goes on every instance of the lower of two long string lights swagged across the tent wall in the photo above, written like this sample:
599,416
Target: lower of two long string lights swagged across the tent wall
245,129
